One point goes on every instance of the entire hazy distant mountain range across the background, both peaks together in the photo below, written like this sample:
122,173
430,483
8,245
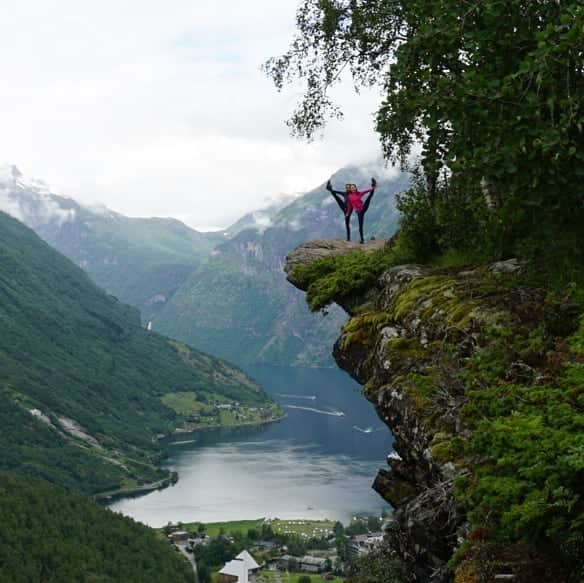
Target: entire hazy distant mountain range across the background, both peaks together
222,292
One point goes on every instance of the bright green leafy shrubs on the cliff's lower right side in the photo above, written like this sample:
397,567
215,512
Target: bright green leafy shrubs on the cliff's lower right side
530,440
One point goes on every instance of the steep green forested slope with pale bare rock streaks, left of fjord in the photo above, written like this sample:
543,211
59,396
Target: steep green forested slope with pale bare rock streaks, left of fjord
81,381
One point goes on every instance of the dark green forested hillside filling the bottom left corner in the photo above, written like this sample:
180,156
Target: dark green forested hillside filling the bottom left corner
49,535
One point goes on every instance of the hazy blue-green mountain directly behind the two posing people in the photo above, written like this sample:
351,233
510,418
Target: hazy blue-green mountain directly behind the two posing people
237,304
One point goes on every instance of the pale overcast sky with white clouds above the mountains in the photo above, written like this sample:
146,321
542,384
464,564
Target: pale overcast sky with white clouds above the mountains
159,108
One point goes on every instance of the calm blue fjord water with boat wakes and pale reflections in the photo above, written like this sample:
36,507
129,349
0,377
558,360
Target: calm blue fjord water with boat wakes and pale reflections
315,463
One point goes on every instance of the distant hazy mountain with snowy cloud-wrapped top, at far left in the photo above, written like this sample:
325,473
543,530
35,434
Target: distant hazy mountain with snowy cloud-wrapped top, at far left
141,261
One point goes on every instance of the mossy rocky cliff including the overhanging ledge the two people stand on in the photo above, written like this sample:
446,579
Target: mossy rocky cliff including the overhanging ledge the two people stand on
416,340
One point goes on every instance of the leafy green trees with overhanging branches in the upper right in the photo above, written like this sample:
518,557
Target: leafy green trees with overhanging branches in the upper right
492,91
